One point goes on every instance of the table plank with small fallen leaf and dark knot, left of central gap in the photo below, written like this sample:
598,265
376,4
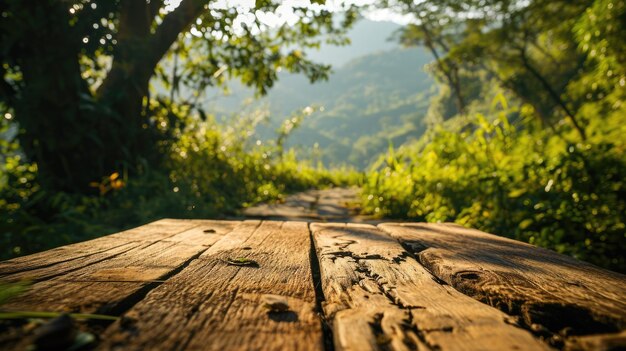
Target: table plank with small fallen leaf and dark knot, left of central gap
213,305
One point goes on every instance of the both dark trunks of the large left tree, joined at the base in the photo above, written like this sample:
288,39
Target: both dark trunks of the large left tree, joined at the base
77,138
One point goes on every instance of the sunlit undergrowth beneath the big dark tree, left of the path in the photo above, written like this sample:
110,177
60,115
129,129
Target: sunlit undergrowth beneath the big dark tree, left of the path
210,171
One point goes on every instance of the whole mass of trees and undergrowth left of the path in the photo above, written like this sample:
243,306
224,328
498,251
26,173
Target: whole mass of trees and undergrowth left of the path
88,148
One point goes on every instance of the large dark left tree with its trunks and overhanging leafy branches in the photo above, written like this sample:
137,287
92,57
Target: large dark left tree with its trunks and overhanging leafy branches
76,74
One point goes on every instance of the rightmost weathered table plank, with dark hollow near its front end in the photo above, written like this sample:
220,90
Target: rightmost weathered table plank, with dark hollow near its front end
555,295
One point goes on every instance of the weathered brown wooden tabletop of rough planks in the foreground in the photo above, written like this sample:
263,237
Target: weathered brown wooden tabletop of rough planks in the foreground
203,285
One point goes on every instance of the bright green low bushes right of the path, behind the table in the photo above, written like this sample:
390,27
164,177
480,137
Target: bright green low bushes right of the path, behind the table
515,180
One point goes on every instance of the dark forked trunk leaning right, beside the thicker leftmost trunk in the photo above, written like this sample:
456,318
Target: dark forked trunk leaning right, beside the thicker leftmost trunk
126,87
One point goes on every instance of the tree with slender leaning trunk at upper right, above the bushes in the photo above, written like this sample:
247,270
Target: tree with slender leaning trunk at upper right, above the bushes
529,47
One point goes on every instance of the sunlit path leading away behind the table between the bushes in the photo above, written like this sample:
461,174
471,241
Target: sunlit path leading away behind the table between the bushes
326,205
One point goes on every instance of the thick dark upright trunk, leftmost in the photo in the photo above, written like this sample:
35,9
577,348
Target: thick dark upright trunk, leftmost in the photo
53,108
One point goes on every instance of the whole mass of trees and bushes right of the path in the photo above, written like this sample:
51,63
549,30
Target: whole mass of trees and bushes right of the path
549,170
